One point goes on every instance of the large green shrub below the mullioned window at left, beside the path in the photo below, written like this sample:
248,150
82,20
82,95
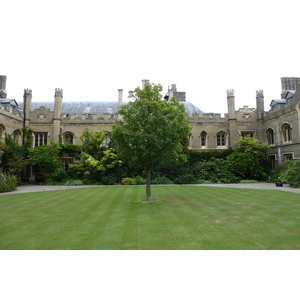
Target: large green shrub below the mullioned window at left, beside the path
46,159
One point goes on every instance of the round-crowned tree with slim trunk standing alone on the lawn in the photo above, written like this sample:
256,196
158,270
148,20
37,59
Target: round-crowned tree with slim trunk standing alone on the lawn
152,131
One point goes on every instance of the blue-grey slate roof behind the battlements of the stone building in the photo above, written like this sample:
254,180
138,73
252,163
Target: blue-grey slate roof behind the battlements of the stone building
99,107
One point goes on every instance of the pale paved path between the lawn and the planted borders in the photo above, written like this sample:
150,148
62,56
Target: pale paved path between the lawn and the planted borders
259,185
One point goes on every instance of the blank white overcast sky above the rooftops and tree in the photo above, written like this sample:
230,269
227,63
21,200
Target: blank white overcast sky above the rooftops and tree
91,49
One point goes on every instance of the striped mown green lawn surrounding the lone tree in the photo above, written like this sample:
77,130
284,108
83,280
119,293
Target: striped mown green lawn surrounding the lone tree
188,217
